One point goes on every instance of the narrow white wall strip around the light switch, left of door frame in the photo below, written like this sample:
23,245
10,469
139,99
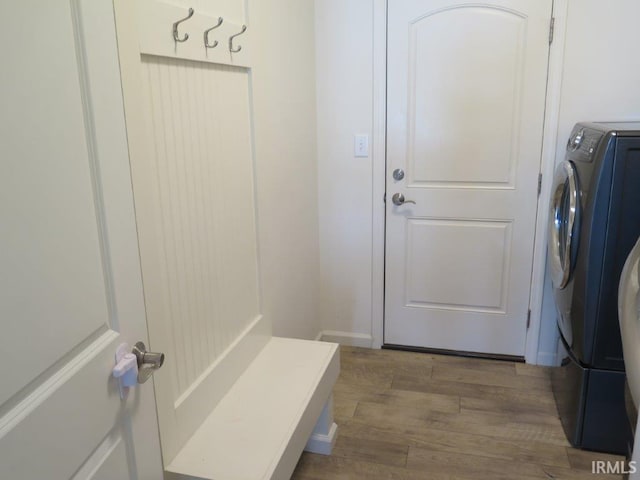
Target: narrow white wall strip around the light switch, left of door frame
344,87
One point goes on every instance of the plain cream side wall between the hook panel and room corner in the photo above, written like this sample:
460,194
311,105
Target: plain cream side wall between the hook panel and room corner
286,163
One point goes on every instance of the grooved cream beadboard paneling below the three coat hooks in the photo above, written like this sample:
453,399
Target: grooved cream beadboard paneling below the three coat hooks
203,168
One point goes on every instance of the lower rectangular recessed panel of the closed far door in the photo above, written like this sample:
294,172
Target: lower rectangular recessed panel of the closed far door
476,275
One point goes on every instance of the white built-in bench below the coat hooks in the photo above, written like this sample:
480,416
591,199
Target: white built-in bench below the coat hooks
259,429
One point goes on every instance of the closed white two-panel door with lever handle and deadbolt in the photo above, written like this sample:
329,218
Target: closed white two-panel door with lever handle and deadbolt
466,97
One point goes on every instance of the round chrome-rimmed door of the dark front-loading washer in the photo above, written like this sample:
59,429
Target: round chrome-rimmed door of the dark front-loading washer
564,225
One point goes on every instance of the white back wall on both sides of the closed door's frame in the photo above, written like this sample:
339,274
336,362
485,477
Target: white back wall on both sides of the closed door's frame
601,76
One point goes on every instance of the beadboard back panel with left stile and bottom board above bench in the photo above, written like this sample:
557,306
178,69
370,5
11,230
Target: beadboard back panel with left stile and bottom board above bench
191,141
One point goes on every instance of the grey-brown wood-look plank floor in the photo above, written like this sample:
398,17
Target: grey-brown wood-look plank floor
408,416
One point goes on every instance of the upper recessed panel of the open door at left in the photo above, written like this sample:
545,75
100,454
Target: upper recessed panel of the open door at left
48,256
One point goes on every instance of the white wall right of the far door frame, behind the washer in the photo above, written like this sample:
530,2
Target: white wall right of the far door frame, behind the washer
600,82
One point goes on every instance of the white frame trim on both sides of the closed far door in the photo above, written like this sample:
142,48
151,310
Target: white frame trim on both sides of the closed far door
548,161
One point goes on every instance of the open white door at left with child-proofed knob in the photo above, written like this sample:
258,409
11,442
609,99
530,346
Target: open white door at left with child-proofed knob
70,285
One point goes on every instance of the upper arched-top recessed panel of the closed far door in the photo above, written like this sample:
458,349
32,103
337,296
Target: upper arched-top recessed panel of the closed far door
448,122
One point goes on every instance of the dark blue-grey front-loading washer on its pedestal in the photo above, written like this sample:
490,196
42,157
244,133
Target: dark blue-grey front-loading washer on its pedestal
594,223
